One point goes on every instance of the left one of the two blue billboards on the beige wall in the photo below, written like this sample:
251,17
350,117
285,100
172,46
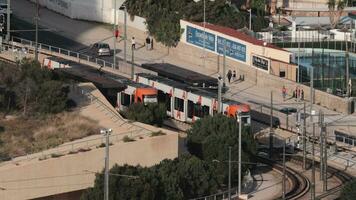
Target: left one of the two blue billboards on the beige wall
196,37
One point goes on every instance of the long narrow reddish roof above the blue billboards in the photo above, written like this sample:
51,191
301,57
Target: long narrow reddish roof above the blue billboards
236,34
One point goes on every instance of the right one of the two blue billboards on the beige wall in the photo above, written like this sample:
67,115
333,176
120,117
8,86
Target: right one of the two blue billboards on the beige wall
233,49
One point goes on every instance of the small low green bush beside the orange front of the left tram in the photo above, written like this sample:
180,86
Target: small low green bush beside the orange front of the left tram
151,113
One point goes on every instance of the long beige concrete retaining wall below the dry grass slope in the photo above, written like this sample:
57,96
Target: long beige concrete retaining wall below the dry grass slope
34,179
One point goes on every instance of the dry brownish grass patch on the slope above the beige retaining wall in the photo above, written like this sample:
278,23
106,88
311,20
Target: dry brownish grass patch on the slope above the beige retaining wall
34,134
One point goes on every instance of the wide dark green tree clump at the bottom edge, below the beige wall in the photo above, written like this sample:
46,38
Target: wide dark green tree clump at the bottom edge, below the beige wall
182,178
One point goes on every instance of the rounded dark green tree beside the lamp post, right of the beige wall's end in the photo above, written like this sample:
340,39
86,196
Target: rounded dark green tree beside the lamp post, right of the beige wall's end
209,139
